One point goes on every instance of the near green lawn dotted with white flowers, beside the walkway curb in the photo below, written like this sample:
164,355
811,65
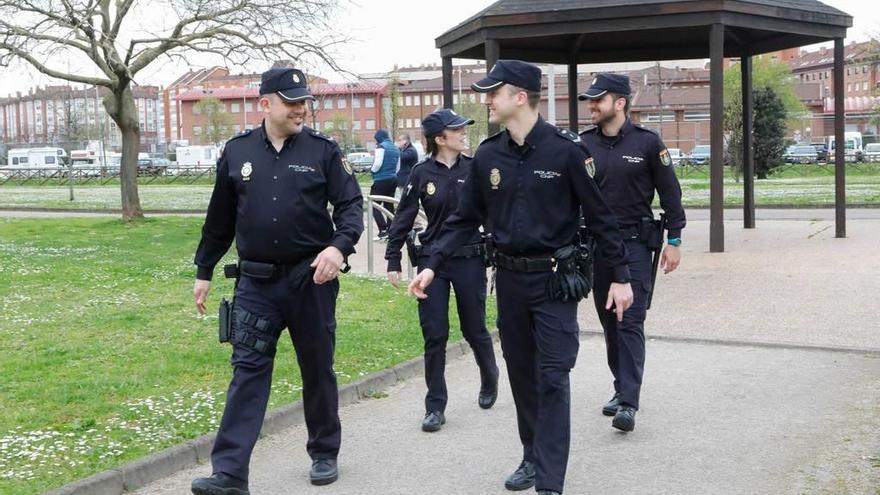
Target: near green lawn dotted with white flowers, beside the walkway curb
104,357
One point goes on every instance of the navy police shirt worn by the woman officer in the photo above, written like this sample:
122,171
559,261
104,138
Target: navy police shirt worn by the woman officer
437,187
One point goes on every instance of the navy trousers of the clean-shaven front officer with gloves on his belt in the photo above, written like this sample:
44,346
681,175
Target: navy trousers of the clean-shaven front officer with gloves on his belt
539,338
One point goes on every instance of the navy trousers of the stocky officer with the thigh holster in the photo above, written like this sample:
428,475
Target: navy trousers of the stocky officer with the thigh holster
309,314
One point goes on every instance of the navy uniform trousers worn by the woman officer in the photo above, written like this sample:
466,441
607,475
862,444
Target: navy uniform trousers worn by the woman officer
468,277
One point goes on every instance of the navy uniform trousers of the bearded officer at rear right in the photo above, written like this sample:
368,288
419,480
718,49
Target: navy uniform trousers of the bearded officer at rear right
625,340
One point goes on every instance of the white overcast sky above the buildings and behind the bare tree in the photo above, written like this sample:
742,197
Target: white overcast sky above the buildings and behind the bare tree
389,32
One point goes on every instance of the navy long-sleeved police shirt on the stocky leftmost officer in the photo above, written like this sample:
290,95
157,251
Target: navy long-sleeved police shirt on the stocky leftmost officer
274,203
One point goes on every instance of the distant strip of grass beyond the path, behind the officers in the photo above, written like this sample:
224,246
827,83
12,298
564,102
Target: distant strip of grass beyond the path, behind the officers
797,185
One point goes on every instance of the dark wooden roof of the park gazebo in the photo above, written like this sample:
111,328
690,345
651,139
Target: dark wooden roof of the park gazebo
590,31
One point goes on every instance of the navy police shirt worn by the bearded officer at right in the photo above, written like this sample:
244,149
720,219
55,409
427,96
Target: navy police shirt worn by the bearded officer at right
629,167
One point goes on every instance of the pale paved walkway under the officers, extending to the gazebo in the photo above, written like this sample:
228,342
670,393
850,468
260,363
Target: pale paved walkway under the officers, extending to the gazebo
716,418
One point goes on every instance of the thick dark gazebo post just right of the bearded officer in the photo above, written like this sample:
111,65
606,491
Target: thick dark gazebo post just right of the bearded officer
716,115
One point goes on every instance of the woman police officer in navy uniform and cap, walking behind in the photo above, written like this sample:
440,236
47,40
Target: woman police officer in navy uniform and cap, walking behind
435,184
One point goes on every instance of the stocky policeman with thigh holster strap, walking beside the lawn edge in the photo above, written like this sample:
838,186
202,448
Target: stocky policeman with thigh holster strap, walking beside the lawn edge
273,187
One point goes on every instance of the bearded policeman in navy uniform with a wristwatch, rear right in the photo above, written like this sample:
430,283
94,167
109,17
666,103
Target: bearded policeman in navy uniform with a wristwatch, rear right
630,162
